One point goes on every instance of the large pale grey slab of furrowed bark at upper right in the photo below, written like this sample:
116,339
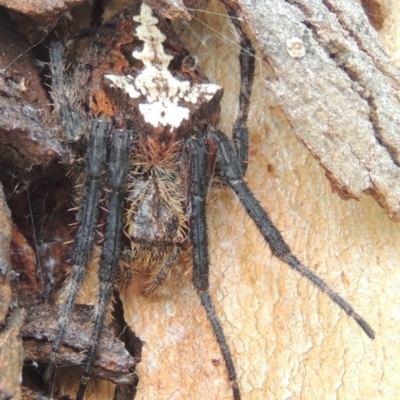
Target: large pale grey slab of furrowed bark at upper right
339,91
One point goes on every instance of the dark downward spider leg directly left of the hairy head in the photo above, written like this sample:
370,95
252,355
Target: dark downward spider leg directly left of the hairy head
118,170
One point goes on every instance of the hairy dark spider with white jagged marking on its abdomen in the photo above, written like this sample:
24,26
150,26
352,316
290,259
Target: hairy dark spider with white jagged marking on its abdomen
152,124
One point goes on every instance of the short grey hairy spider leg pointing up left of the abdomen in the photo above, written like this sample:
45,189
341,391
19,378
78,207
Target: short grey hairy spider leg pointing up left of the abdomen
70,120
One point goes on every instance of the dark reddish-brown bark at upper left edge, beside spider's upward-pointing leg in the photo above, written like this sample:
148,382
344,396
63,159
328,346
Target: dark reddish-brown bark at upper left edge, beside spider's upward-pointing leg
27,142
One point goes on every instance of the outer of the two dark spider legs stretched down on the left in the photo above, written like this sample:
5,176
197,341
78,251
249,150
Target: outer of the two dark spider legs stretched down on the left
95,160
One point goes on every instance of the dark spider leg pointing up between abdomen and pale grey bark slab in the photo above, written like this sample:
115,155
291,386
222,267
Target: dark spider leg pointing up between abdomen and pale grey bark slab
247,60
